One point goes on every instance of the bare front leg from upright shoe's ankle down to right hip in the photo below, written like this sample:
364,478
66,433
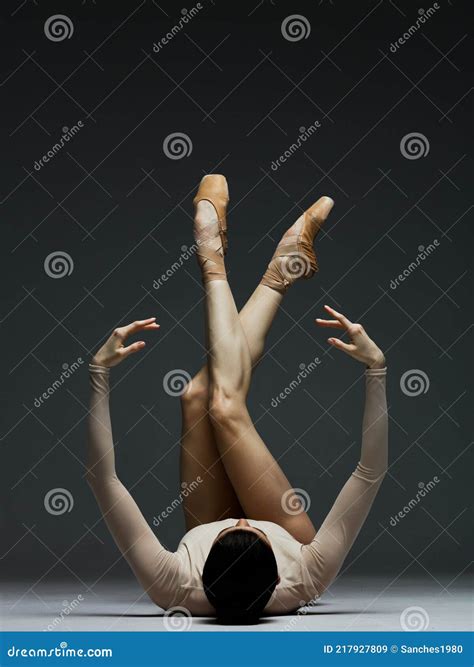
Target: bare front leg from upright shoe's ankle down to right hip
258,481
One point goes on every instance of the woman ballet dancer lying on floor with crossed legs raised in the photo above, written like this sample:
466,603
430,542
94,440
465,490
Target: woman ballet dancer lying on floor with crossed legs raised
243,555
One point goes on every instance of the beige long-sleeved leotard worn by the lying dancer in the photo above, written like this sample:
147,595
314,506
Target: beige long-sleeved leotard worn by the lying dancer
174,578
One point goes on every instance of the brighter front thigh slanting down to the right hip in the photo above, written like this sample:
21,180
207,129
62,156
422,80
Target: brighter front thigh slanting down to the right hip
261,486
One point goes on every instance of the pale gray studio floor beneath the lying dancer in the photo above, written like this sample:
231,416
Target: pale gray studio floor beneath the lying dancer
351,604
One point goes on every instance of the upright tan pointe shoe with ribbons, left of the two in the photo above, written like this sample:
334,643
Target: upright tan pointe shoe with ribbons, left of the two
213,188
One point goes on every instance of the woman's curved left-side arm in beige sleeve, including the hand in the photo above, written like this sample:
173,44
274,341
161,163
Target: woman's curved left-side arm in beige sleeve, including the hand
156,568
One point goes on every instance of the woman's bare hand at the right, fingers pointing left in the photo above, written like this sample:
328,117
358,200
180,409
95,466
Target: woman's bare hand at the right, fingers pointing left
361,347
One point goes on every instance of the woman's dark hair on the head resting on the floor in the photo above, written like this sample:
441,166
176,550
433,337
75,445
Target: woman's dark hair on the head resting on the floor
239,576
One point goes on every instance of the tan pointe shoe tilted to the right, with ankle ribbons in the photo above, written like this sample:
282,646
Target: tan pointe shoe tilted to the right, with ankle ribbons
294,257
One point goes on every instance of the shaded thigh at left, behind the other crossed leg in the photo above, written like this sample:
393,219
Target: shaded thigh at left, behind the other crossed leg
207,492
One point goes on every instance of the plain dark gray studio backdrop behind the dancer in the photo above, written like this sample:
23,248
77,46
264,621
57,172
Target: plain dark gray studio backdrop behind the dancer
242,82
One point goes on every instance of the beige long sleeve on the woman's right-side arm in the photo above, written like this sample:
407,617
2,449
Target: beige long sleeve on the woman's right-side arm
325,555
